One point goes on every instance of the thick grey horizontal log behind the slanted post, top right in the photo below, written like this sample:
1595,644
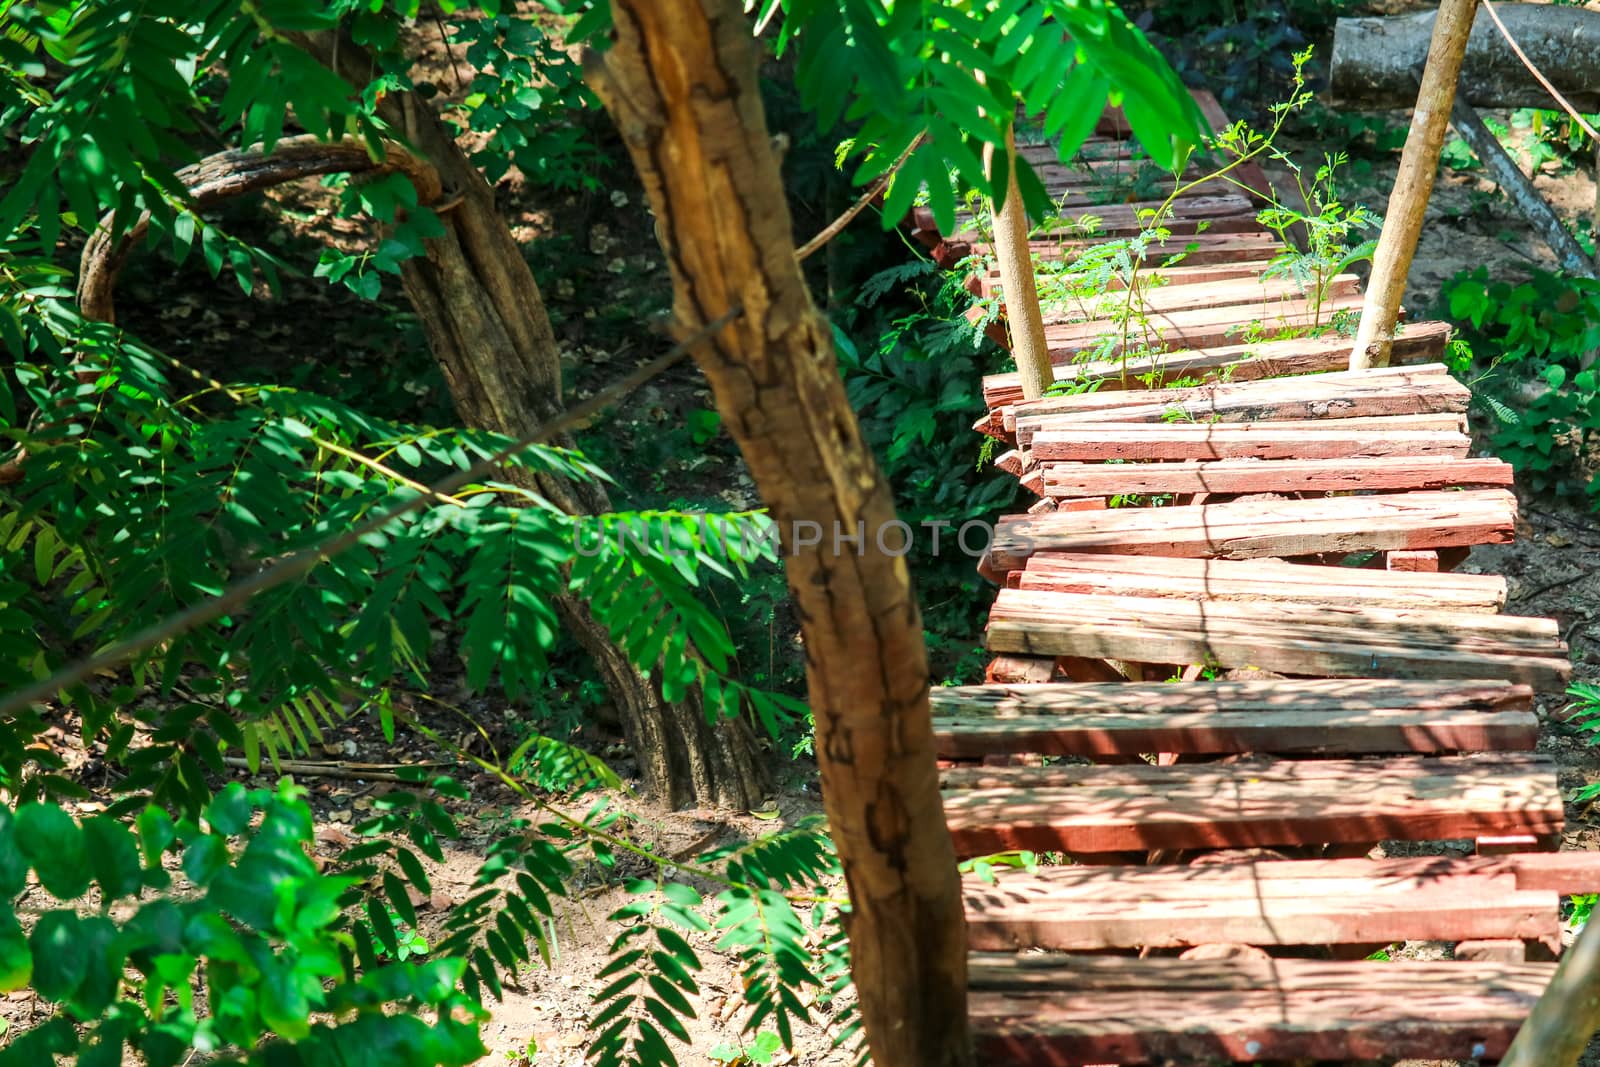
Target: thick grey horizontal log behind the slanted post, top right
1377,60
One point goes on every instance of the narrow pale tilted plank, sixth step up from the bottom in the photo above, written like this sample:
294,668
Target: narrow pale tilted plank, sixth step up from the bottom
1260,580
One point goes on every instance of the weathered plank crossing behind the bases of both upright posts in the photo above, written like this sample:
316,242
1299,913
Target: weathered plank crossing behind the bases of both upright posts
1418,343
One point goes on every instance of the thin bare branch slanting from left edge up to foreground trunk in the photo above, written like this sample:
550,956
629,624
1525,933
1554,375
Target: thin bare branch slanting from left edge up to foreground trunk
303,562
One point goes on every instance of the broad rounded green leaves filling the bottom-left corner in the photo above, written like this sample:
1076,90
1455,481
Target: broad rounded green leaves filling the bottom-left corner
244,913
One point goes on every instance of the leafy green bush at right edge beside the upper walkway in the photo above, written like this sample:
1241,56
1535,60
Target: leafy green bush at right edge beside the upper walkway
1538,338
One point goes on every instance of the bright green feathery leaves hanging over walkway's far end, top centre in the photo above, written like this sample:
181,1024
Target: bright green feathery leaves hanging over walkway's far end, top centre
946,76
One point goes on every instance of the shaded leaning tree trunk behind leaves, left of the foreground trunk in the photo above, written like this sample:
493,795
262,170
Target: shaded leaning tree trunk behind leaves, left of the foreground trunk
487,327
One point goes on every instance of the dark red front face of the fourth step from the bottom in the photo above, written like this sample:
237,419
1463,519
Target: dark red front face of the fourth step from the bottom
1340,732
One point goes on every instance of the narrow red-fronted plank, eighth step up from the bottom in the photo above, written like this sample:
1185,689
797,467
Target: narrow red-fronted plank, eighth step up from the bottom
1274,476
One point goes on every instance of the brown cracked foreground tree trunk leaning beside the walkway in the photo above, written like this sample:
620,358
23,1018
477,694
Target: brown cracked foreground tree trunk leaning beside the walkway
681,82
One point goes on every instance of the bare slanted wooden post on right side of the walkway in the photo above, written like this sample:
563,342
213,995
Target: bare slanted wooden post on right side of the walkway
1414,185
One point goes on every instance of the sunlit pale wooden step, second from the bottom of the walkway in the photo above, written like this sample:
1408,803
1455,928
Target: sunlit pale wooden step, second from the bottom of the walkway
1271,903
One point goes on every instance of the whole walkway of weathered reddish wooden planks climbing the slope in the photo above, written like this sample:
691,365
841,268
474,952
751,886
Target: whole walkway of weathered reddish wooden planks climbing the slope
1231,661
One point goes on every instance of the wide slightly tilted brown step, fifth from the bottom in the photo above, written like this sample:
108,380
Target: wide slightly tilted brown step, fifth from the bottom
1342,642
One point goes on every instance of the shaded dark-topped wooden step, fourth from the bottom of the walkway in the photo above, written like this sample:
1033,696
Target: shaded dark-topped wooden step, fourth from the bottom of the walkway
1330,717
